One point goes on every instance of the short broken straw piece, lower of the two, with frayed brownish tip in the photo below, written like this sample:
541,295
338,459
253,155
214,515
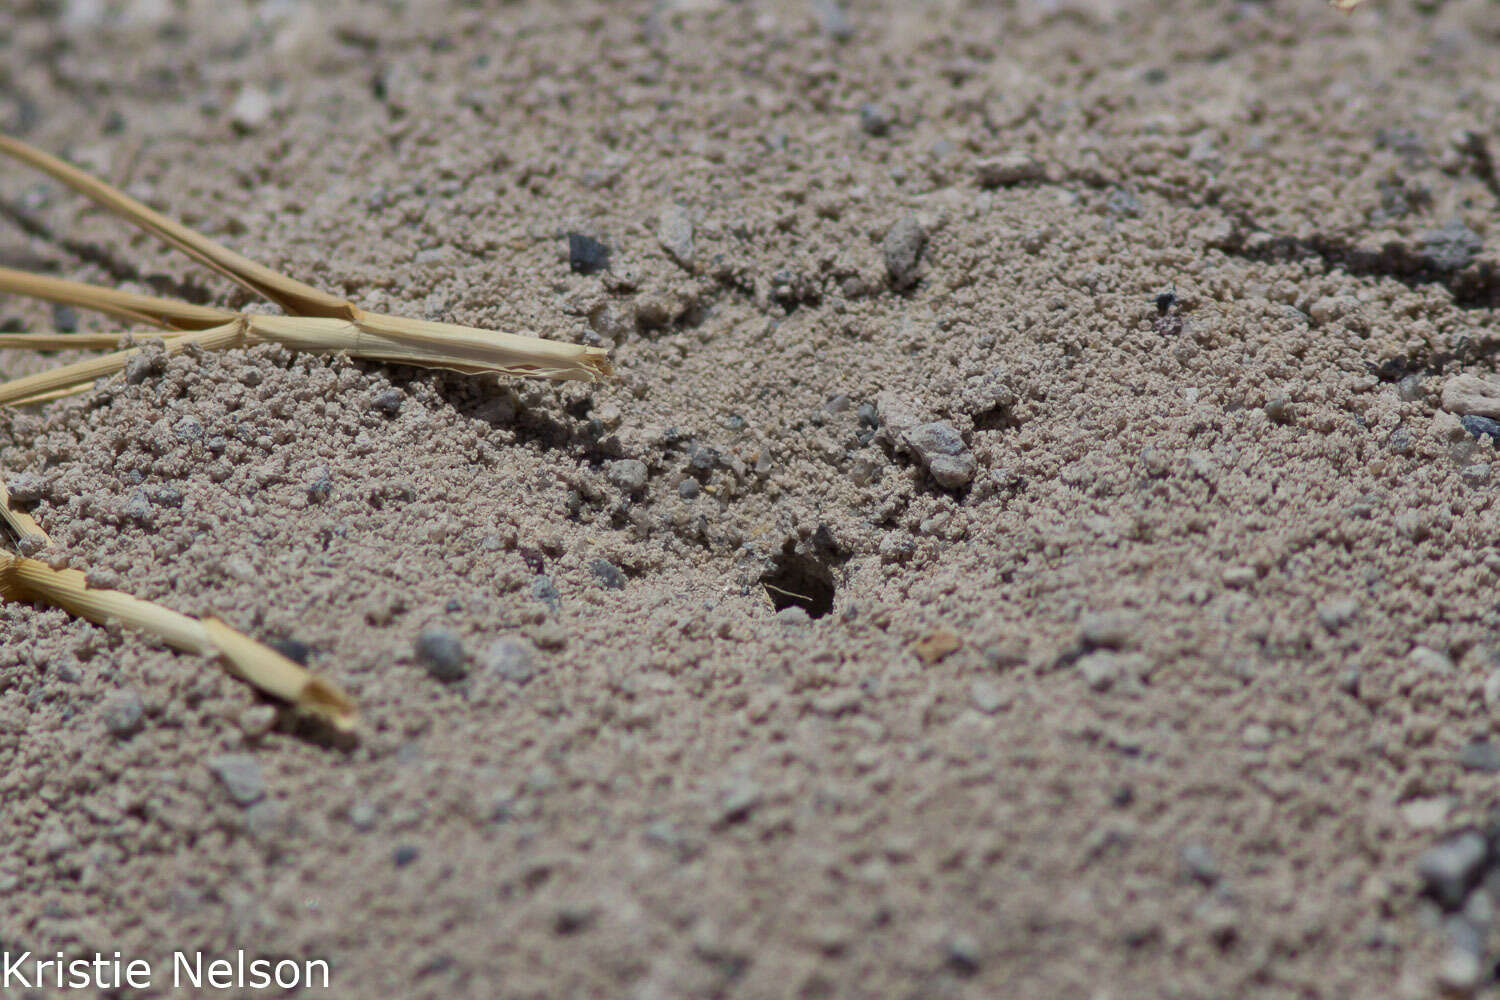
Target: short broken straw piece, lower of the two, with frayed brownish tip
266,669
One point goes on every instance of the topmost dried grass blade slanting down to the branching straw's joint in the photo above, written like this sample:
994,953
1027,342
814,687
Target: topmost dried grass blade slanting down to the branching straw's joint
287,293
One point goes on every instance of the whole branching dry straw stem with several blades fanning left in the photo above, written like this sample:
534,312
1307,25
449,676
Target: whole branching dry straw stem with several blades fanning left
316,322
